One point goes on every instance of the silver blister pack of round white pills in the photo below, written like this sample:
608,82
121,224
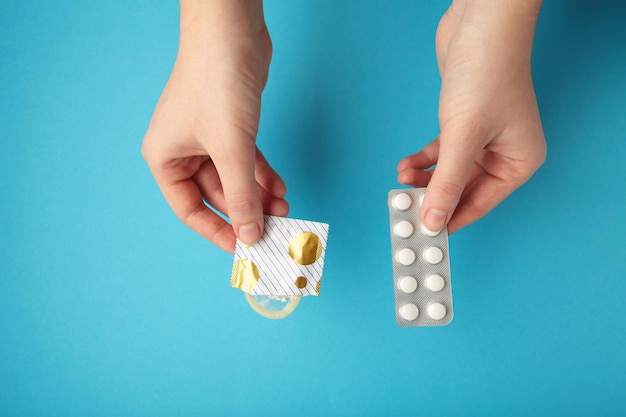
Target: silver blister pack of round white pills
421,263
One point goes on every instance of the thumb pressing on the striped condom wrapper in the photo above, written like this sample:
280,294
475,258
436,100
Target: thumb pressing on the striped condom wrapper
243,204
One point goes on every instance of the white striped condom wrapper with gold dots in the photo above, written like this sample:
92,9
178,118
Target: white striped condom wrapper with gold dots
287,261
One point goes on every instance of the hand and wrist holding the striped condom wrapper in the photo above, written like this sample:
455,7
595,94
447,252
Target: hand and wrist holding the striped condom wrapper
200,145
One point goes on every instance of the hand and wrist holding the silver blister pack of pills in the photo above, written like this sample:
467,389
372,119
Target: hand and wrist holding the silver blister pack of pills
491,140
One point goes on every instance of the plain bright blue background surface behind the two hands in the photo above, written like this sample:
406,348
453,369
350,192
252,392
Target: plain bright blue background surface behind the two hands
110,306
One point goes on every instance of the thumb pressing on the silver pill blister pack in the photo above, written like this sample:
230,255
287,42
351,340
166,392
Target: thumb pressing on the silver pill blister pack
448,180
